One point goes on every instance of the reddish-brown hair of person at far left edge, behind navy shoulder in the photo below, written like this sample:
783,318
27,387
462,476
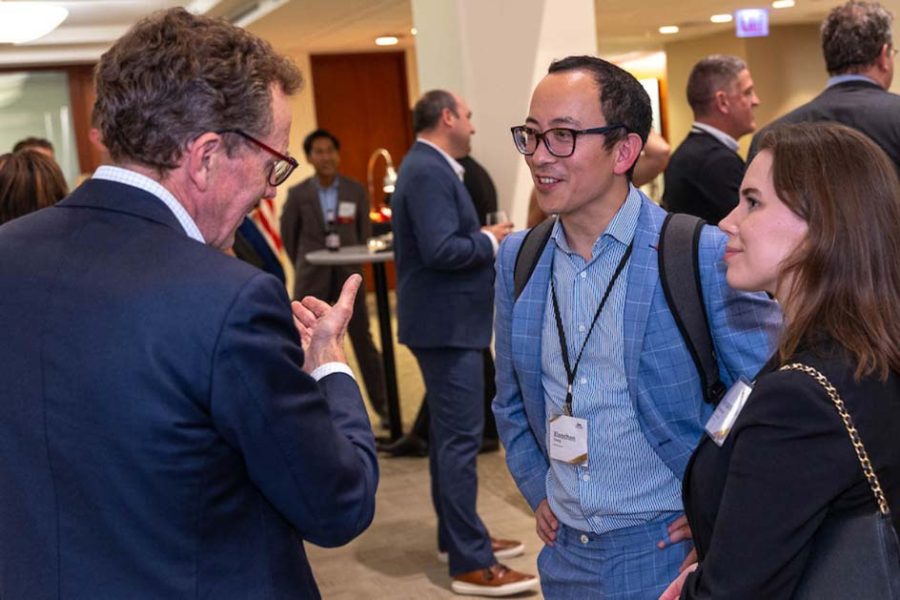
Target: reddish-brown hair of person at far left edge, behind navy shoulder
29,181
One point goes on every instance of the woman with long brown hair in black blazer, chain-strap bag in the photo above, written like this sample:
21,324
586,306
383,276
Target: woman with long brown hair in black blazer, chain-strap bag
818,227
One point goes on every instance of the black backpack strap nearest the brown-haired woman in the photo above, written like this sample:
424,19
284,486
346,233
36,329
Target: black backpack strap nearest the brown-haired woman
679,273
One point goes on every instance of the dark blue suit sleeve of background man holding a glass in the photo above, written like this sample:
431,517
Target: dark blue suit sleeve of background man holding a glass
435,216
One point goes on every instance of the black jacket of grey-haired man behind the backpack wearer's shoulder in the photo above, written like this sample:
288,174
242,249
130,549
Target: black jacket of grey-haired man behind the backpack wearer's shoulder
703,178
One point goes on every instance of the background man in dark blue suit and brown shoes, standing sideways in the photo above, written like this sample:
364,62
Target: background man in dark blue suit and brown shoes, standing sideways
445,275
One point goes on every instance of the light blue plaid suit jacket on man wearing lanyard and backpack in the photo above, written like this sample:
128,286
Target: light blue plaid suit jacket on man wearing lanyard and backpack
662,379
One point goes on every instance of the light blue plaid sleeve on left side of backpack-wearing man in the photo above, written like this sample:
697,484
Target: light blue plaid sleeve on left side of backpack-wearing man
524,457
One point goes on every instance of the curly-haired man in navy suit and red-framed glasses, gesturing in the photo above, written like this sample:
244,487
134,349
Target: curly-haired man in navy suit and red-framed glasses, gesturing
169,428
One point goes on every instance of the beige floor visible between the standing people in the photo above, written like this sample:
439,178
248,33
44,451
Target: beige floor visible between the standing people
396,557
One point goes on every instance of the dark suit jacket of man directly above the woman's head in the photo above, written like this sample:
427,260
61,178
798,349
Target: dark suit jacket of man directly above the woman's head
861,105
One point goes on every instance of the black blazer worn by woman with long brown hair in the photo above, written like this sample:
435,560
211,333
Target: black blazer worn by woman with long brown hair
755,504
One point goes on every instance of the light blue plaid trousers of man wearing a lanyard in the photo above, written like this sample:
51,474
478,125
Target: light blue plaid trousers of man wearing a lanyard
619,565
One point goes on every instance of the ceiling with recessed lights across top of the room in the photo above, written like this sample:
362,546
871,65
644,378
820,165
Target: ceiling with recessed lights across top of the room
351,25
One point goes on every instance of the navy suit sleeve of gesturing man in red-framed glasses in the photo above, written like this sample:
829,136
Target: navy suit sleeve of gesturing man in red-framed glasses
307,445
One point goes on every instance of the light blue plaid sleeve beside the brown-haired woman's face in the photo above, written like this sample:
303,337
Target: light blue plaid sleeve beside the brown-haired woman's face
744,325
